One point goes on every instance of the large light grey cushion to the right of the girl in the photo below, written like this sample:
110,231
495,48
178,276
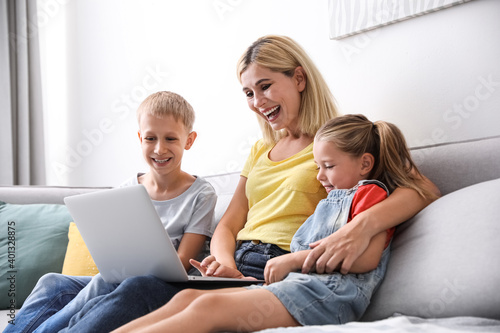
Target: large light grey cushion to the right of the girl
444,261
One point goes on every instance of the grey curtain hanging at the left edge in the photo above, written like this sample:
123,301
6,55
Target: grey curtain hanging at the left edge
22,160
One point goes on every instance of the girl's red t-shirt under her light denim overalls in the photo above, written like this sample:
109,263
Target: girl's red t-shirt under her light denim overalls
365,197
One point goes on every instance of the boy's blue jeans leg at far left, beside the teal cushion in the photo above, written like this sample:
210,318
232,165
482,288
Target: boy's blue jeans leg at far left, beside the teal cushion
52,293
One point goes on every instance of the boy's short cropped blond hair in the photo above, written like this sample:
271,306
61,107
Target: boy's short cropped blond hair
163,103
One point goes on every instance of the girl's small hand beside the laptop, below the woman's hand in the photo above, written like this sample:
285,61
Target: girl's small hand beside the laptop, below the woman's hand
278,268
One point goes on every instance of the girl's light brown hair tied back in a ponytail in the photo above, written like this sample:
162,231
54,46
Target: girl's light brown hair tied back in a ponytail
393,166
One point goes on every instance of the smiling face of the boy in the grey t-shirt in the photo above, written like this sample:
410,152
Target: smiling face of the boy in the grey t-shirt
163,142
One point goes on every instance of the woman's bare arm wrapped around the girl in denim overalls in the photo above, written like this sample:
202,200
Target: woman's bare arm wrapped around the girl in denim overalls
349,242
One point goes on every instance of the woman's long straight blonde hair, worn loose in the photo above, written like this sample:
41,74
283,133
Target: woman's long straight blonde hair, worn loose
282,54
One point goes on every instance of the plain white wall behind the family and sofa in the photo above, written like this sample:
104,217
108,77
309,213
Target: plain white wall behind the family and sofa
103,57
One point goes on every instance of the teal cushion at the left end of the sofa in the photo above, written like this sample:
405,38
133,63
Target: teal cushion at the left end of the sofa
33,241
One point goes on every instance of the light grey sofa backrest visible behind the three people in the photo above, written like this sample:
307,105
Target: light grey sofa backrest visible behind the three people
450,166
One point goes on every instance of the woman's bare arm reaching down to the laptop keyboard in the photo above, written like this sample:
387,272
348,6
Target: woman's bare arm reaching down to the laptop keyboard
223,244
